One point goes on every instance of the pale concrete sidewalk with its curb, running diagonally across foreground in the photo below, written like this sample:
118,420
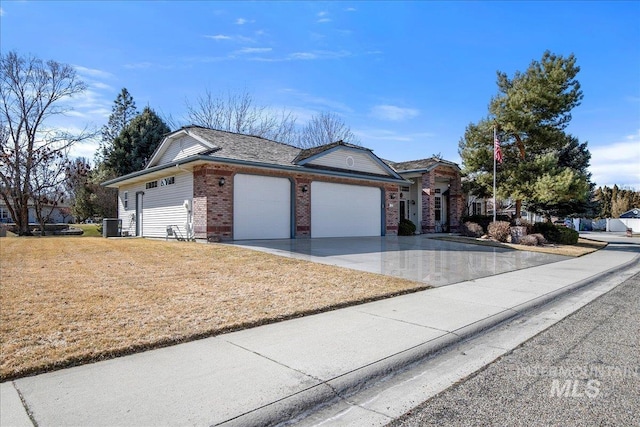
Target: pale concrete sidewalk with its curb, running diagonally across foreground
272,373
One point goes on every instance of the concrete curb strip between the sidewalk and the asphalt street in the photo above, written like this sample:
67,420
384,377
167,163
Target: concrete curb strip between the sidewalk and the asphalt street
286,410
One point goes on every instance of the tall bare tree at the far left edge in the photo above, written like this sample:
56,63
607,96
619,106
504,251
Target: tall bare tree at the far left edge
33,156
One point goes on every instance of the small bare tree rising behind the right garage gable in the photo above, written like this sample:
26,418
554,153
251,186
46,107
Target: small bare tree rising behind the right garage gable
325,128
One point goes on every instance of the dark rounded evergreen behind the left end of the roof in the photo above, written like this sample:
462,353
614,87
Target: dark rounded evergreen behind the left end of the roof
133,148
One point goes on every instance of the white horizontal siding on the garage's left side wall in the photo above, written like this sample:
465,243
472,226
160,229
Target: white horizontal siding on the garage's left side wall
162,206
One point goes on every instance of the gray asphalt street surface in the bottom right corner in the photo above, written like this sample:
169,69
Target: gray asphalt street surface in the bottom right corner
584,370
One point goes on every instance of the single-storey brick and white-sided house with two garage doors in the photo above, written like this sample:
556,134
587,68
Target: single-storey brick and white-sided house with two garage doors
210,184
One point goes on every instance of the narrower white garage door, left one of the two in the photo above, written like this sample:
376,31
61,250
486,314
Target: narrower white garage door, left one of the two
261,207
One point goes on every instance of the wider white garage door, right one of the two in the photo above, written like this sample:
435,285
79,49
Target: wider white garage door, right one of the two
340,210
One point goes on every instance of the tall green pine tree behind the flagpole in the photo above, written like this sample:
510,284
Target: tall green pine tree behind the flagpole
542,165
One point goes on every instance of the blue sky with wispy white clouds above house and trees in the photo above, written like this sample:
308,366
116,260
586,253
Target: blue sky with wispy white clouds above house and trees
407,77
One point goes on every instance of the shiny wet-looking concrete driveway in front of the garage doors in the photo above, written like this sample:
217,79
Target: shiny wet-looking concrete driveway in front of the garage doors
420,258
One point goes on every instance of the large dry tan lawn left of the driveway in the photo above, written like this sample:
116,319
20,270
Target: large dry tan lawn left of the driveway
65,301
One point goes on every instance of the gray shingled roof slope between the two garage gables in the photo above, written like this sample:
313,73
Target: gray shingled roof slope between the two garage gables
244,147
